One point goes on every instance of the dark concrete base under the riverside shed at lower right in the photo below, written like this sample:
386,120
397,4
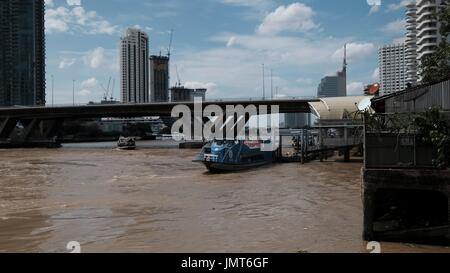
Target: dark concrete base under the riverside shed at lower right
406,205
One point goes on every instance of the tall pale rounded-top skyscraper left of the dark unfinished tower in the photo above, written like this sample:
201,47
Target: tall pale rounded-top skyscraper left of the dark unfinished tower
134,63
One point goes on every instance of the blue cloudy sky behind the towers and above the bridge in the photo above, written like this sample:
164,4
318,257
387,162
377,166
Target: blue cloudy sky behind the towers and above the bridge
221,44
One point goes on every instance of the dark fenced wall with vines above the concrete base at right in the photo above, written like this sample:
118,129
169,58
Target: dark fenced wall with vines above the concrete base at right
406,140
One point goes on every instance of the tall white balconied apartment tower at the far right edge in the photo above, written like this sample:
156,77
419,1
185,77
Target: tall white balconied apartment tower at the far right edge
423,35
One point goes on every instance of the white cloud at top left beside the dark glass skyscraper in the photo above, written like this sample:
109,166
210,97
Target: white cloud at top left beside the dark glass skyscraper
75,19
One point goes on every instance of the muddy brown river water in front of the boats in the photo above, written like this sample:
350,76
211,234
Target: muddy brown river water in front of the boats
156,199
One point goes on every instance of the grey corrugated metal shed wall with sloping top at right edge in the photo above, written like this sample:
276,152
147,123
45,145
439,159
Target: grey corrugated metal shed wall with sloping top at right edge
437,95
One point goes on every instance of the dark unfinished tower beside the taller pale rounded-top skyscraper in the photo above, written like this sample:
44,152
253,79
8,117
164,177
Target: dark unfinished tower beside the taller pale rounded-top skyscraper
159,78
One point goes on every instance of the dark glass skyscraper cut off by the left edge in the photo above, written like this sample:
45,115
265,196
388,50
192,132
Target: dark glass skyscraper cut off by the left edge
22,52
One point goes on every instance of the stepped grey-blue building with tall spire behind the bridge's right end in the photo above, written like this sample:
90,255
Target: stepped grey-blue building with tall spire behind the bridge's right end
334,86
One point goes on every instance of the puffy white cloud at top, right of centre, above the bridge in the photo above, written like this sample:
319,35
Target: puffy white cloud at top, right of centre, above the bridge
296,17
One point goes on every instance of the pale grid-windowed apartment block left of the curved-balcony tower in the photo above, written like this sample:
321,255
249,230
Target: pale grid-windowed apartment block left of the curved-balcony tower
393,72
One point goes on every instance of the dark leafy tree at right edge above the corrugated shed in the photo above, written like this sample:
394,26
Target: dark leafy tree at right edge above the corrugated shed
436,66
